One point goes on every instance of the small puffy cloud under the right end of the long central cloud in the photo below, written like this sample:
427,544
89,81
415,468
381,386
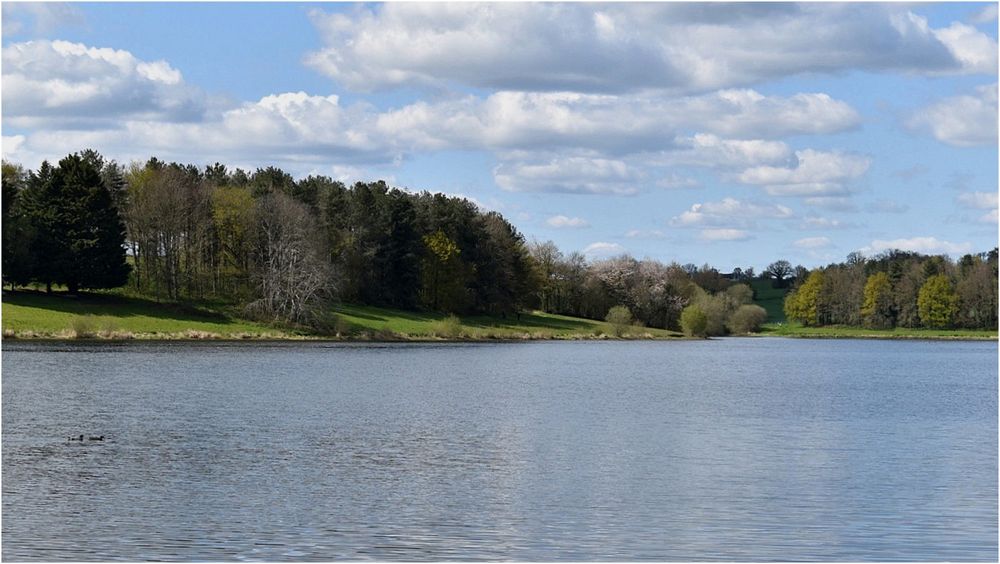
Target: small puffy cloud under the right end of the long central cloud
815,173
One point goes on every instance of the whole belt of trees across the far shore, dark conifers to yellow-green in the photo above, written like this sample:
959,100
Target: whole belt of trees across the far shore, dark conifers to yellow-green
282,250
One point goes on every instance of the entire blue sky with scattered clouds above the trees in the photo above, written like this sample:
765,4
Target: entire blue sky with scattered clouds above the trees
726,134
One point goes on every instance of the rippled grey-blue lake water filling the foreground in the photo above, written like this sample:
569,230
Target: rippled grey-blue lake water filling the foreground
732,449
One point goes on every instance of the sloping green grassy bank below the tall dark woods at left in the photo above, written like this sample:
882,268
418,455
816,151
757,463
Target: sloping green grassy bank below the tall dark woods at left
29,315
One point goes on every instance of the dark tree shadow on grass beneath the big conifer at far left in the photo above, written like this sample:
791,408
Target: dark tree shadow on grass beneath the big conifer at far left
116,306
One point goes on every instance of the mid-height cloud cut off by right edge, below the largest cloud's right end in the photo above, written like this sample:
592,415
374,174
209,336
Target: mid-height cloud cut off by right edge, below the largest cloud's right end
963,121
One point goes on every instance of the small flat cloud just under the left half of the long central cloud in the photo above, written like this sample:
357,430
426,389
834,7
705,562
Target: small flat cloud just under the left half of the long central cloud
574,175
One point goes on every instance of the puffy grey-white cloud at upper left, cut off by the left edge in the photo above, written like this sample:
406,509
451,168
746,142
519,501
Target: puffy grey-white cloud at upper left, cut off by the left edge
59,82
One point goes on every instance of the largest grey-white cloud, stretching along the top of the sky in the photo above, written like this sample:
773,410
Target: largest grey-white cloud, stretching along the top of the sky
622,47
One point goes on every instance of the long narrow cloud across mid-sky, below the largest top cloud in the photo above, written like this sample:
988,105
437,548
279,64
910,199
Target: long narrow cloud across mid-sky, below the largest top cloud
617,124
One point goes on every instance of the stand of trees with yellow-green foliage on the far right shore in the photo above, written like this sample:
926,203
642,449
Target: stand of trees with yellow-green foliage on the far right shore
899,289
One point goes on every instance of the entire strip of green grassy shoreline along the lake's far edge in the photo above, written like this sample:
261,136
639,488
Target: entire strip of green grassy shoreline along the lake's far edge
100,318
